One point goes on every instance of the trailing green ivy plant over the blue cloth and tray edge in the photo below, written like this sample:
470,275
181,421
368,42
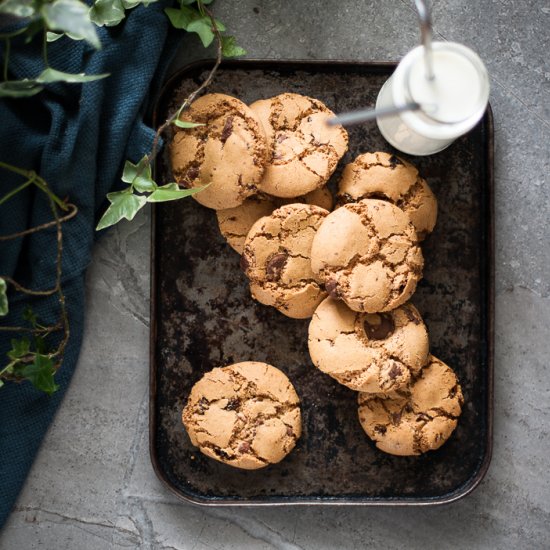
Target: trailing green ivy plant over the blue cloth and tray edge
31,356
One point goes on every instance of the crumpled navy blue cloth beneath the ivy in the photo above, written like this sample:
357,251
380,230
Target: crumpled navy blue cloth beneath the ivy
77,137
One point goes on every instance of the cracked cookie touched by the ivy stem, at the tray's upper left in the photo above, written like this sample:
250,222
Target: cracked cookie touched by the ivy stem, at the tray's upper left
228,153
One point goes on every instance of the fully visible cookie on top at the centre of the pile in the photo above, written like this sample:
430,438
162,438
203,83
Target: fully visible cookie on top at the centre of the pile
367,255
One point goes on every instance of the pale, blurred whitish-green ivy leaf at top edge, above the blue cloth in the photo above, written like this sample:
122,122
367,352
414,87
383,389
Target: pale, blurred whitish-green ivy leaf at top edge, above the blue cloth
71,16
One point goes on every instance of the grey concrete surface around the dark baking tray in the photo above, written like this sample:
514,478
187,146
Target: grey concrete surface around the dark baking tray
92,486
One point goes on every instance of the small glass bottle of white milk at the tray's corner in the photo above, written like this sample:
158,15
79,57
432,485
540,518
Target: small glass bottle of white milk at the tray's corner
451,102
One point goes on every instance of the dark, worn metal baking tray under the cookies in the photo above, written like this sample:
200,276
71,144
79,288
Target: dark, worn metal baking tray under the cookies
202,317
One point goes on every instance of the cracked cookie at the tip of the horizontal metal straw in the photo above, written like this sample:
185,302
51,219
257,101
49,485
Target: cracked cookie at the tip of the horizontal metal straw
304,151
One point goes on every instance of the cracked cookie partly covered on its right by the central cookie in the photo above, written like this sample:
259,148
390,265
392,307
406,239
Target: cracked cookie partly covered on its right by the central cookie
277,260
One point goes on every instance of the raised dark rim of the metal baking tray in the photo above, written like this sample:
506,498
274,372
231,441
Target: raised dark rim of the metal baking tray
474,481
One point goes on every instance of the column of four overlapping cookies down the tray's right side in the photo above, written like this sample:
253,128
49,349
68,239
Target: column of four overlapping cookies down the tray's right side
365,334
